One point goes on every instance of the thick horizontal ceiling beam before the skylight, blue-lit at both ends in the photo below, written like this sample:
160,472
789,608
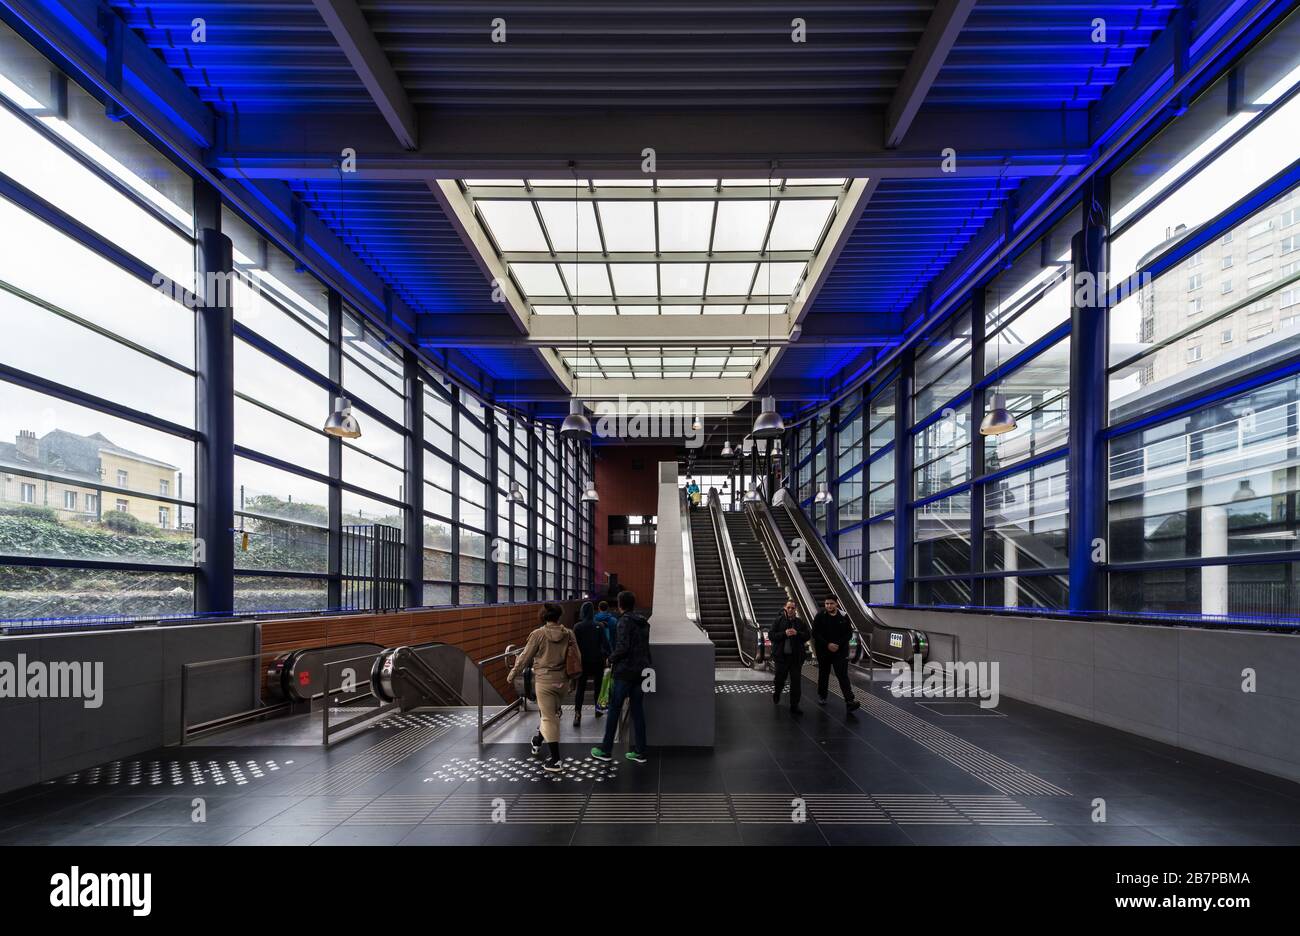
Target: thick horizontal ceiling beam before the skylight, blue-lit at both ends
804,142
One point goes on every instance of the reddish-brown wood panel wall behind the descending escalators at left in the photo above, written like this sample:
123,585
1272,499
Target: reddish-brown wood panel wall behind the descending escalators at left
480,631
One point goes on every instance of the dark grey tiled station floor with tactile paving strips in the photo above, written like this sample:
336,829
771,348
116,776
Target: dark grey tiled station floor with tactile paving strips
896,773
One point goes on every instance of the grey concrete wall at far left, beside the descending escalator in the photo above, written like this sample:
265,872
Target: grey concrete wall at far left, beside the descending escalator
46,739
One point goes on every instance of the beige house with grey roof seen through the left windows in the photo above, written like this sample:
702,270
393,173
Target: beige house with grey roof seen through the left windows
70,474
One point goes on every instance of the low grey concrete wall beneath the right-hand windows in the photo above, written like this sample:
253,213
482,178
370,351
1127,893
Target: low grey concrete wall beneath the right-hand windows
1175,684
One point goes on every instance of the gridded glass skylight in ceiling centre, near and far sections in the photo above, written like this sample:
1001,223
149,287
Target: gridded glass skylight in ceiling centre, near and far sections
656,242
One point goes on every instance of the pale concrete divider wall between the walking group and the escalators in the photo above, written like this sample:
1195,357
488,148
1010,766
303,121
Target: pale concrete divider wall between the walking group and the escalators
681,712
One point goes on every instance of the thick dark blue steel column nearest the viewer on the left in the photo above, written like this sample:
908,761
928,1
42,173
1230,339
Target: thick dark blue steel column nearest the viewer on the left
215,388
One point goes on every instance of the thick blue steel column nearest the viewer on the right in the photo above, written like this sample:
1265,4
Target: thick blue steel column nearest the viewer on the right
1089,345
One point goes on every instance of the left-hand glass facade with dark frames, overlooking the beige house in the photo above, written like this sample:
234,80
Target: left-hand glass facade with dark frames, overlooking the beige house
99,441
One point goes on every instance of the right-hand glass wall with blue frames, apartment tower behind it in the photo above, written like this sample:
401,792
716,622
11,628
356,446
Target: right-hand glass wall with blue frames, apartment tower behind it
1203,404
